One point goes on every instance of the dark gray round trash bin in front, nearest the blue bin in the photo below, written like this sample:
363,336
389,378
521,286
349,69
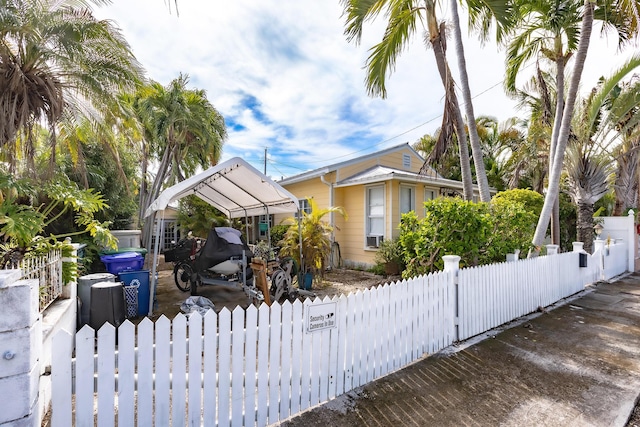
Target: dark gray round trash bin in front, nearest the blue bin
107,304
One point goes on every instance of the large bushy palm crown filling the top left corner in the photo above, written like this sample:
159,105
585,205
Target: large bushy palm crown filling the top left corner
56,58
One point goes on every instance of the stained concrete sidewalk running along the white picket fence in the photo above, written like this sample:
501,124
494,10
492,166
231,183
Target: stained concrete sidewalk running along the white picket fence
576,365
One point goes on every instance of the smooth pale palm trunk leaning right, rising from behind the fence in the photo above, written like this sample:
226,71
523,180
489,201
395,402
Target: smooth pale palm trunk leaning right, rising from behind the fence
563,134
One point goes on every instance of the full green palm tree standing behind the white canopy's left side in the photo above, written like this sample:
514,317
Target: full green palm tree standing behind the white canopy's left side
182,131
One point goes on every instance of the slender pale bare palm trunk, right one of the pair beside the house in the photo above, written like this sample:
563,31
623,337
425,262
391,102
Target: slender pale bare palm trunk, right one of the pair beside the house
476,149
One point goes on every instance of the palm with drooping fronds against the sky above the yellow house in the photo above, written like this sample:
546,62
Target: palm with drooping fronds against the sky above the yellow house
403,19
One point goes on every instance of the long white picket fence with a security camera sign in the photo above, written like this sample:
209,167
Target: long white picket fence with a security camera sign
261,366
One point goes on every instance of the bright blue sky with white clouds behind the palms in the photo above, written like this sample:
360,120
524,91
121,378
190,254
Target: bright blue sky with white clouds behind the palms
285,78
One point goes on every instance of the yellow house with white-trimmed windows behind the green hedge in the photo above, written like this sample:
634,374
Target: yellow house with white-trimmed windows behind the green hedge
375,190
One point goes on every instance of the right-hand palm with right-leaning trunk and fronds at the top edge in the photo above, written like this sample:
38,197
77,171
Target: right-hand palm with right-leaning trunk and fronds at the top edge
545,26
